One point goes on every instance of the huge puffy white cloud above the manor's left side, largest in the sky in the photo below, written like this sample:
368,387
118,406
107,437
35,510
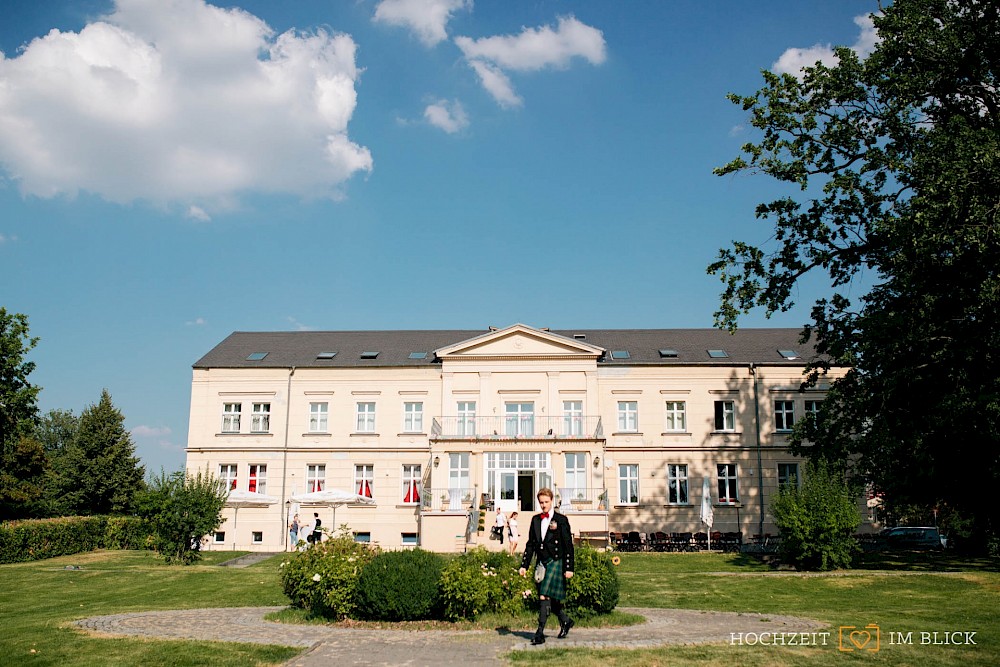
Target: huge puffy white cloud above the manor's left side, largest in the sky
180,101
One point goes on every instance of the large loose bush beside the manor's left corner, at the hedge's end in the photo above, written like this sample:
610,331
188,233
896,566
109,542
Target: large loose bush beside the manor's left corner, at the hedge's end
182,509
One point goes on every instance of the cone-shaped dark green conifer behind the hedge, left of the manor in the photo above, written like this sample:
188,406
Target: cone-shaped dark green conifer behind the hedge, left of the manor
99,472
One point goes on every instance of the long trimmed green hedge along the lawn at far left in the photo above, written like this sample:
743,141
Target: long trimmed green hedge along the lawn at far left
38,539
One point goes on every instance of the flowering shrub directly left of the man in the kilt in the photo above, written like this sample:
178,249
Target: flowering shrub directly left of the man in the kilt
482,581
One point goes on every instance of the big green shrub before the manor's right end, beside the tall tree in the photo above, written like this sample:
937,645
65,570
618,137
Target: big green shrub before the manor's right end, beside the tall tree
817,520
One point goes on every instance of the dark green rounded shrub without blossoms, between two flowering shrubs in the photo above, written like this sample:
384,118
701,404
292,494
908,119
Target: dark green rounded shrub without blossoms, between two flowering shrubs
400,586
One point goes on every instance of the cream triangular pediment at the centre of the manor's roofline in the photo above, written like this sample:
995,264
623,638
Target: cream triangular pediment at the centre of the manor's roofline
520,341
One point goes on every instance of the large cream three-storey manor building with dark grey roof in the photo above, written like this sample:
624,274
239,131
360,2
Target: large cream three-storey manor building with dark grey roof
625,425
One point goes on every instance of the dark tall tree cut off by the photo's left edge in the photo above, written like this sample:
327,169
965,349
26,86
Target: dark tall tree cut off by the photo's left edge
22,460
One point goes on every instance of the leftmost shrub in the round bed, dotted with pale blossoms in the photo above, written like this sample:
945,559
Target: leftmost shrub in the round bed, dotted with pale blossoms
323,579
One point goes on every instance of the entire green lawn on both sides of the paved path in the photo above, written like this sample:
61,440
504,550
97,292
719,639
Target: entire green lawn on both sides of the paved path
898,593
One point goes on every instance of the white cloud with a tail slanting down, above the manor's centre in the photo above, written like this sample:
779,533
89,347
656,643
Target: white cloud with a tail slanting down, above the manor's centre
532,50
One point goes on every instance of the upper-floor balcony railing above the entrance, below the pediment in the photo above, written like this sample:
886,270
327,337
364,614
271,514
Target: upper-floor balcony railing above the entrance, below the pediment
517,427
